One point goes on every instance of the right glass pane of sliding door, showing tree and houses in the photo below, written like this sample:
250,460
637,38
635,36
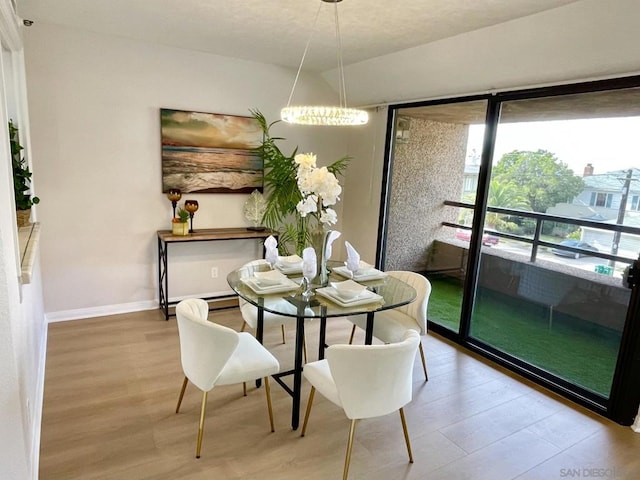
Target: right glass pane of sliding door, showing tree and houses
551,295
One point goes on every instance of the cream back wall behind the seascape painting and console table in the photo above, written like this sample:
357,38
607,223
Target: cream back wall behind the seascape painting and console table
95,133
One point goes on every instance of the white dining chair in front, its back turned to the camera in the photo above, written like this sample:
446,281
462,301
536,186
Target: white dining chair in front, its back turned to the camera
366,381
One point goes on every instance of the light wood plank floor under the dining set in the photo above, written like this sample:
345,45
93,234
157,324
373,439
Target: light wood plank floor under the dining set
112,383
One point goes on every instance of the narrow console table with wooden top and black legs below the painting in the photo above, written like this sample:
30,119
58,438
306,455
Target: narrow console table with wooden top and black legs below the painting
166,238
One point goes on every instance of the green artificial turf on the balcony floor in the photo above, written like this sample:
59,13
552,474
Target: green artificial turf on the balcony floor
575,350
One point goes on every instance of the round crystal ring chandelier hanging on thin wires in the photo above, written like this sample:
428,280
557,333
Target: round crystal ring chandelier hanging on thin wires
318,114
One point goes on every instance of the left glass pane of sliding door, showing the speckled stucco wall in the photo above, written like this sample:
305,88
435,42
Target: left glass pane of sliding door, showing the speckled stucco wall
432,165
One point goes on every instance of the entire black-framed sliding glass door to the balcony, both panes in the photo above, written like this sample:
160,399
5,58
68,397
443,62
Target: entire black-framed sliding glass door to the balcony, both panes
523,210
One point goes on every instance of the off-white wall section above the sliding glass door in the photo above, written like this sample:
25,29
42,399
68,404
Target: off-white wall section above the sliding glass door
582,40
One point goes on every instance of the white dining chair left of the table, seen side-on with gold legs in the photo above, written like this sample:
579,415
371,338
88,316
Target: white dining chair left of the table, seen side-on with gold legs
213,355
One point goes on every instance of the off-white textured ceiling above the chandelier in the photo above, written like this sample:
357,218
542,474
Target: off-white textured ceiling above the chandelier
276,31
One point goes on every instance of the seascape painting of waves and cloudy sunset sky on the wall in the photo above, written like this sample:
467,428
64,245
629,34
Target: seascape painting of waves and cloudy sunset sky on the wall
210,152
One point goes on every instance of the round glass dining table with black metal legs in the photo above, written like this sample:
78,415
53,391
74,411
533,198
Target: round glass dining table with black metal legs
383,293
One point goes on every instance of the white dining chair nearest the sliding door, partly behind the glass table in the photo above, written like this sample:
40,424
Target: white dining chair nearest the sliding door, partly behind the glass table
389,326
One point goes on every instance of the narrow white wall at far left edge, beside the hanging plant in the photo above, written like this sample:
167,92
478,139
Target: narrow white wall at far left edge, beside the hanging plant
22,330
